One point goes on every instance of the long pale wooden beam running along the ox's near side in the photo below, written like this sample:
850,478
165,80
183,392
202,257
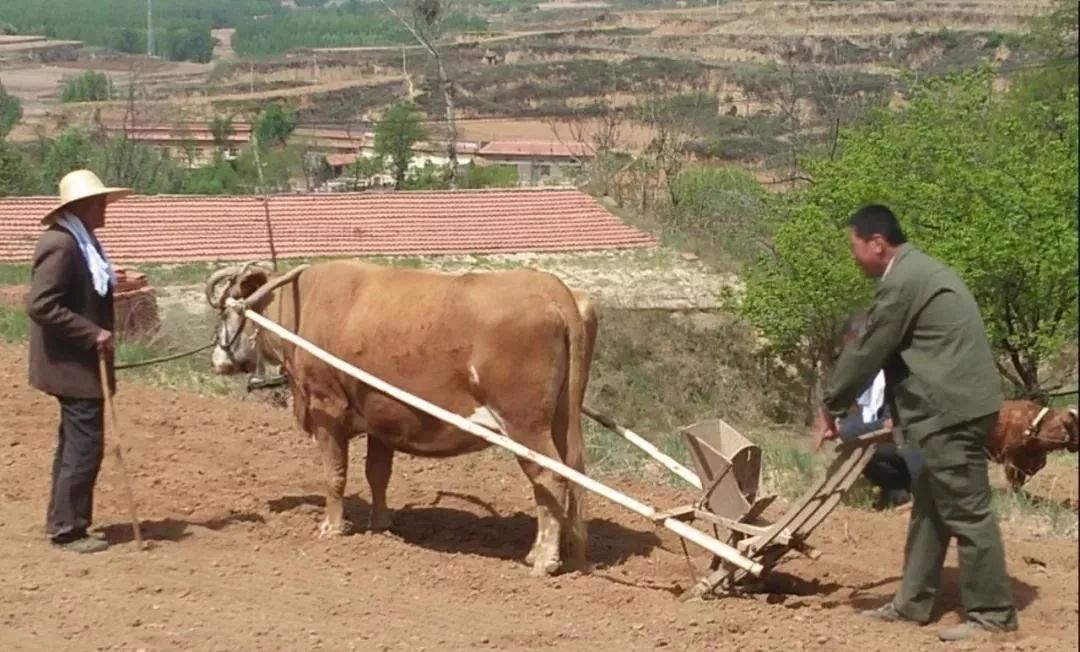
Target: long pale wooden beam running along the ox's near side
684,531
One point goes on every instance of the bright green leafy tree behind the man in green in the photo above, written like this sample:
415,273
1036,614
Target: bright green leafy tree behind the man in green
982,183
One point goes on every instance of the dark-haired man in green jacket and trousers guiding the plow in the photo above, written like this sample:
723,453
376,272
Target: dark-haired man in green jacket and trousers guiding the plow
926,332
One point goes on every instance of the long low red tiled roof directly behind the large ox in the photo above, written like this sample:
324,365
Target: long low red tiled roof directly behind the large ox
190,229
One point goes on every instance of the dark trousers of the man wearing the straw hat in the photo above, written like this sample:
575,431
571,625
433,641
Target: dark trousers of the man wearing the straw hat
79,451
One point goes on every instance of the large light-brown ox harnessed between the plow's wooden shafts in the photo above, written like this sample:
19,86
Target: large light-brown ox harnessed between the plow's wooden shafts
508,350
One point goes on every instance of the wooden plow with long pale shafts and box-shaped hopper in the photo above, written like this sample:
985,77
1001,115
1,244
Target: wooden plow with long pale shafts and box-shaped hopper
728,469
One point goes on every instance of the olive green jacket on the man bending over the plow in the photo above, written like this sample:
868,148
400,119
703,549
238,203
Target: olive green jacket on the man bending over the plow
926,332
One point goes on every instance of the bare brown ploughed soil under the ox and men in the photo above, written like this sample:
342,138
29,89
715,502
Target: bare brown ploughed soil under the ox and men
231,497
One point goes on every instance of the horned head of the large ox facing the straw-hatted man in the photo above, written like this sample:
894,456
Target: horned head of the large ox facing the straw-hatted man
235,351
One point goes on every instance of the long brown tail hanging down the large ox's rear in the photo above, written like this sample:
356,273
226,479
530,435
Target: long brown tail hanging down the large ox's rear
575,451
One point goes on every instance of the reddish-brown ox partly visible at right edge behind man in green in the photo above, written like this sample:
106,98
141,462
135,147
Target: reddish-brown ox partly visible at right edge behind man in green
1027,433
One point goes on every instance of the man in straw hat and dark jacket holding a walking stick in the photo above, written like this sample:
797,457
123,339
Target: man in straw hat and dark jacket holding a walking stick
71,309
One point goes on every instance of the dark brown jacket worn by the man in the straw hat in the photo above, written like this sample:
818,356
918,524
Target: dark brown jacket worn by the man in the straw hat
66,317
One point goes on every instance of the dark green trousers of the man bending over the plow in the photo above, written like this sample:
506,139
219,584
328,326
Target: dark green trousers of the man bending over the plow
953,500
